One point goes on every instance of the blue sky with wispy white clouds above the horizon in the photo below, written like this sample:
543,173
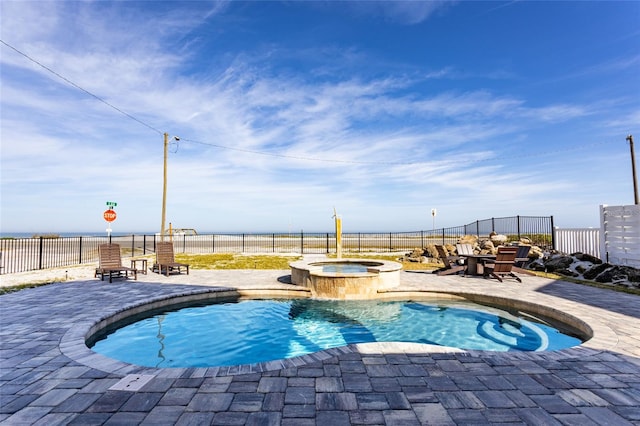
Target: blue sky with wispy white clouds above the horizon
287,110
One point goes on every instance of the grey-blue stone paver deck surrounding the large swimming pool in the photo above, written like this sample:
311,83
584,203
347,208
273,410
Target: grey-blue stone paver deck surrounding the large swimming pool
49,377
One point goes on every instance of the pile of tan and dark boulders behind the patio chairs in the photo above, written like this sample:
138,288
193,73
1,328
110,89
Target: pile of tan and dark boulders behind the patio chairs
576,265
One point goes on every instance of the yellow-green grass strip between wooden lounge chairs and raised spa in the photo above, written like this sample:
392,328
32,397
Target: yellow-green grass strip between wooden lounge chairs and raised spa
236,261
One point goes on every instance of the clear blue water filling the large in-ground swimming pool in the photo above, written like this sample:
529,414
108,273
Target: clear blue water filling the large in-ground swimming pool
251,331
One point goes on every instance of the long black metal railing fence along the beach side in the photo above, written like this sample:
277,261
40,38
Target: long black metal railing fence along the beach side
25,254
